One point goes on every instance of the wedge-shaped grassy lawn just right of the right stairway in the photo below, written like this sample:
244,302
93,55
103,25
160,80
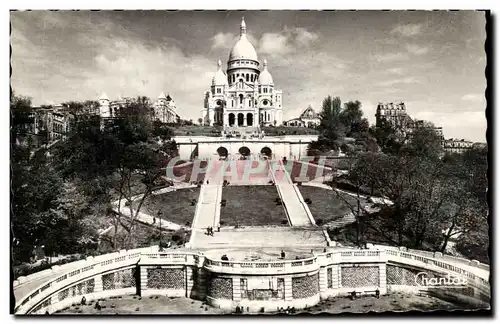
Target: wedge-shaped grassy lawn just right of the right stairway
326,204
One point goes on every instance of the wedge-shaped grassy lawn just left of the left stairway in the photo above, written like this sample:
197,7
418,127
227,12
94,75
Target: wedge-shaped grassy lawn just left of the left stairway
175,206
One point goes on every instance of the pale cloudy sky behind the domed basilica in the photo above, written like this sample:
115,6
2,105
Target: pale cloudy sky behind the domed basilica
433,61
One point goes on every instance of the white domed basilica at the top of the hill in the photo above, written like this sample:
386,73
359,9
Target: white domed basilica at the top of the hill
243,95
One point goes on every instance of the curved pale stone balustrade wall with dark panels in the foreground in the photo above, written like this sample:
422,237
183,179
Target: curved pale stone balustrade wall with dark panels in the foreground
253,285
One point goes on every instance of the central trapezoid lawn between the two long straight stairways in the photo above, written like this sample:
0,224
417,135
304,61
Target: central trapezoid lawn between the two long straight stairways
251,206
